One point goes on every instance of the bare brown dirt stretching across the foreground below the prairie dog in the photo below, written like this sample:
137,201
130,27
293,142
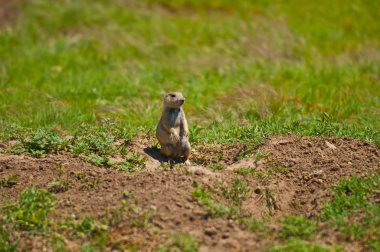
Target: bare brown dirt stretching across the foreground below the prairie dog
296,170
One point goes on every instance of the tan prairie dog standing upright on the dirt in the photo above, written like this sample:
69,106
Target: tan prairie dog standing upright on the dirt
172,131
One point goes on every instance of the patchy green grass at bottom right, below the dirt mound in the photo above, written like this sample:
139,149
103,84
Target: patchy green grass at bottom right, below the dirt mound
352,215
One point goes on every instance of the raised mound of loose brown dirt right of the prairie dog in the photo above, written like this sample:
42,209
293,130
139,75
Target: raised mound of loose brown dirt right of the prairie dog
313,164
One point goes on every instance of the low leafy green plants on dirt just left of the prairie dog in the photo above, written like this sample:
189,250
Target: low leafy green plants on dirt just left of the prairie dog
95,144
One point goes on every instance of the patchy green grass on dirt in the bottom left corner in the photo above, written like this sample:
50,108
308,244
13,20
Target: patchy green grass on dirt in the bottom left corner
29,219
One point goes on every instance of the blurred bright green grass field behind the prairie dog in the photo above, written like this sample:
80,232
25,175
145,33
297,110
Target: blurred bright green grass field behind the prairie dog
300,67
